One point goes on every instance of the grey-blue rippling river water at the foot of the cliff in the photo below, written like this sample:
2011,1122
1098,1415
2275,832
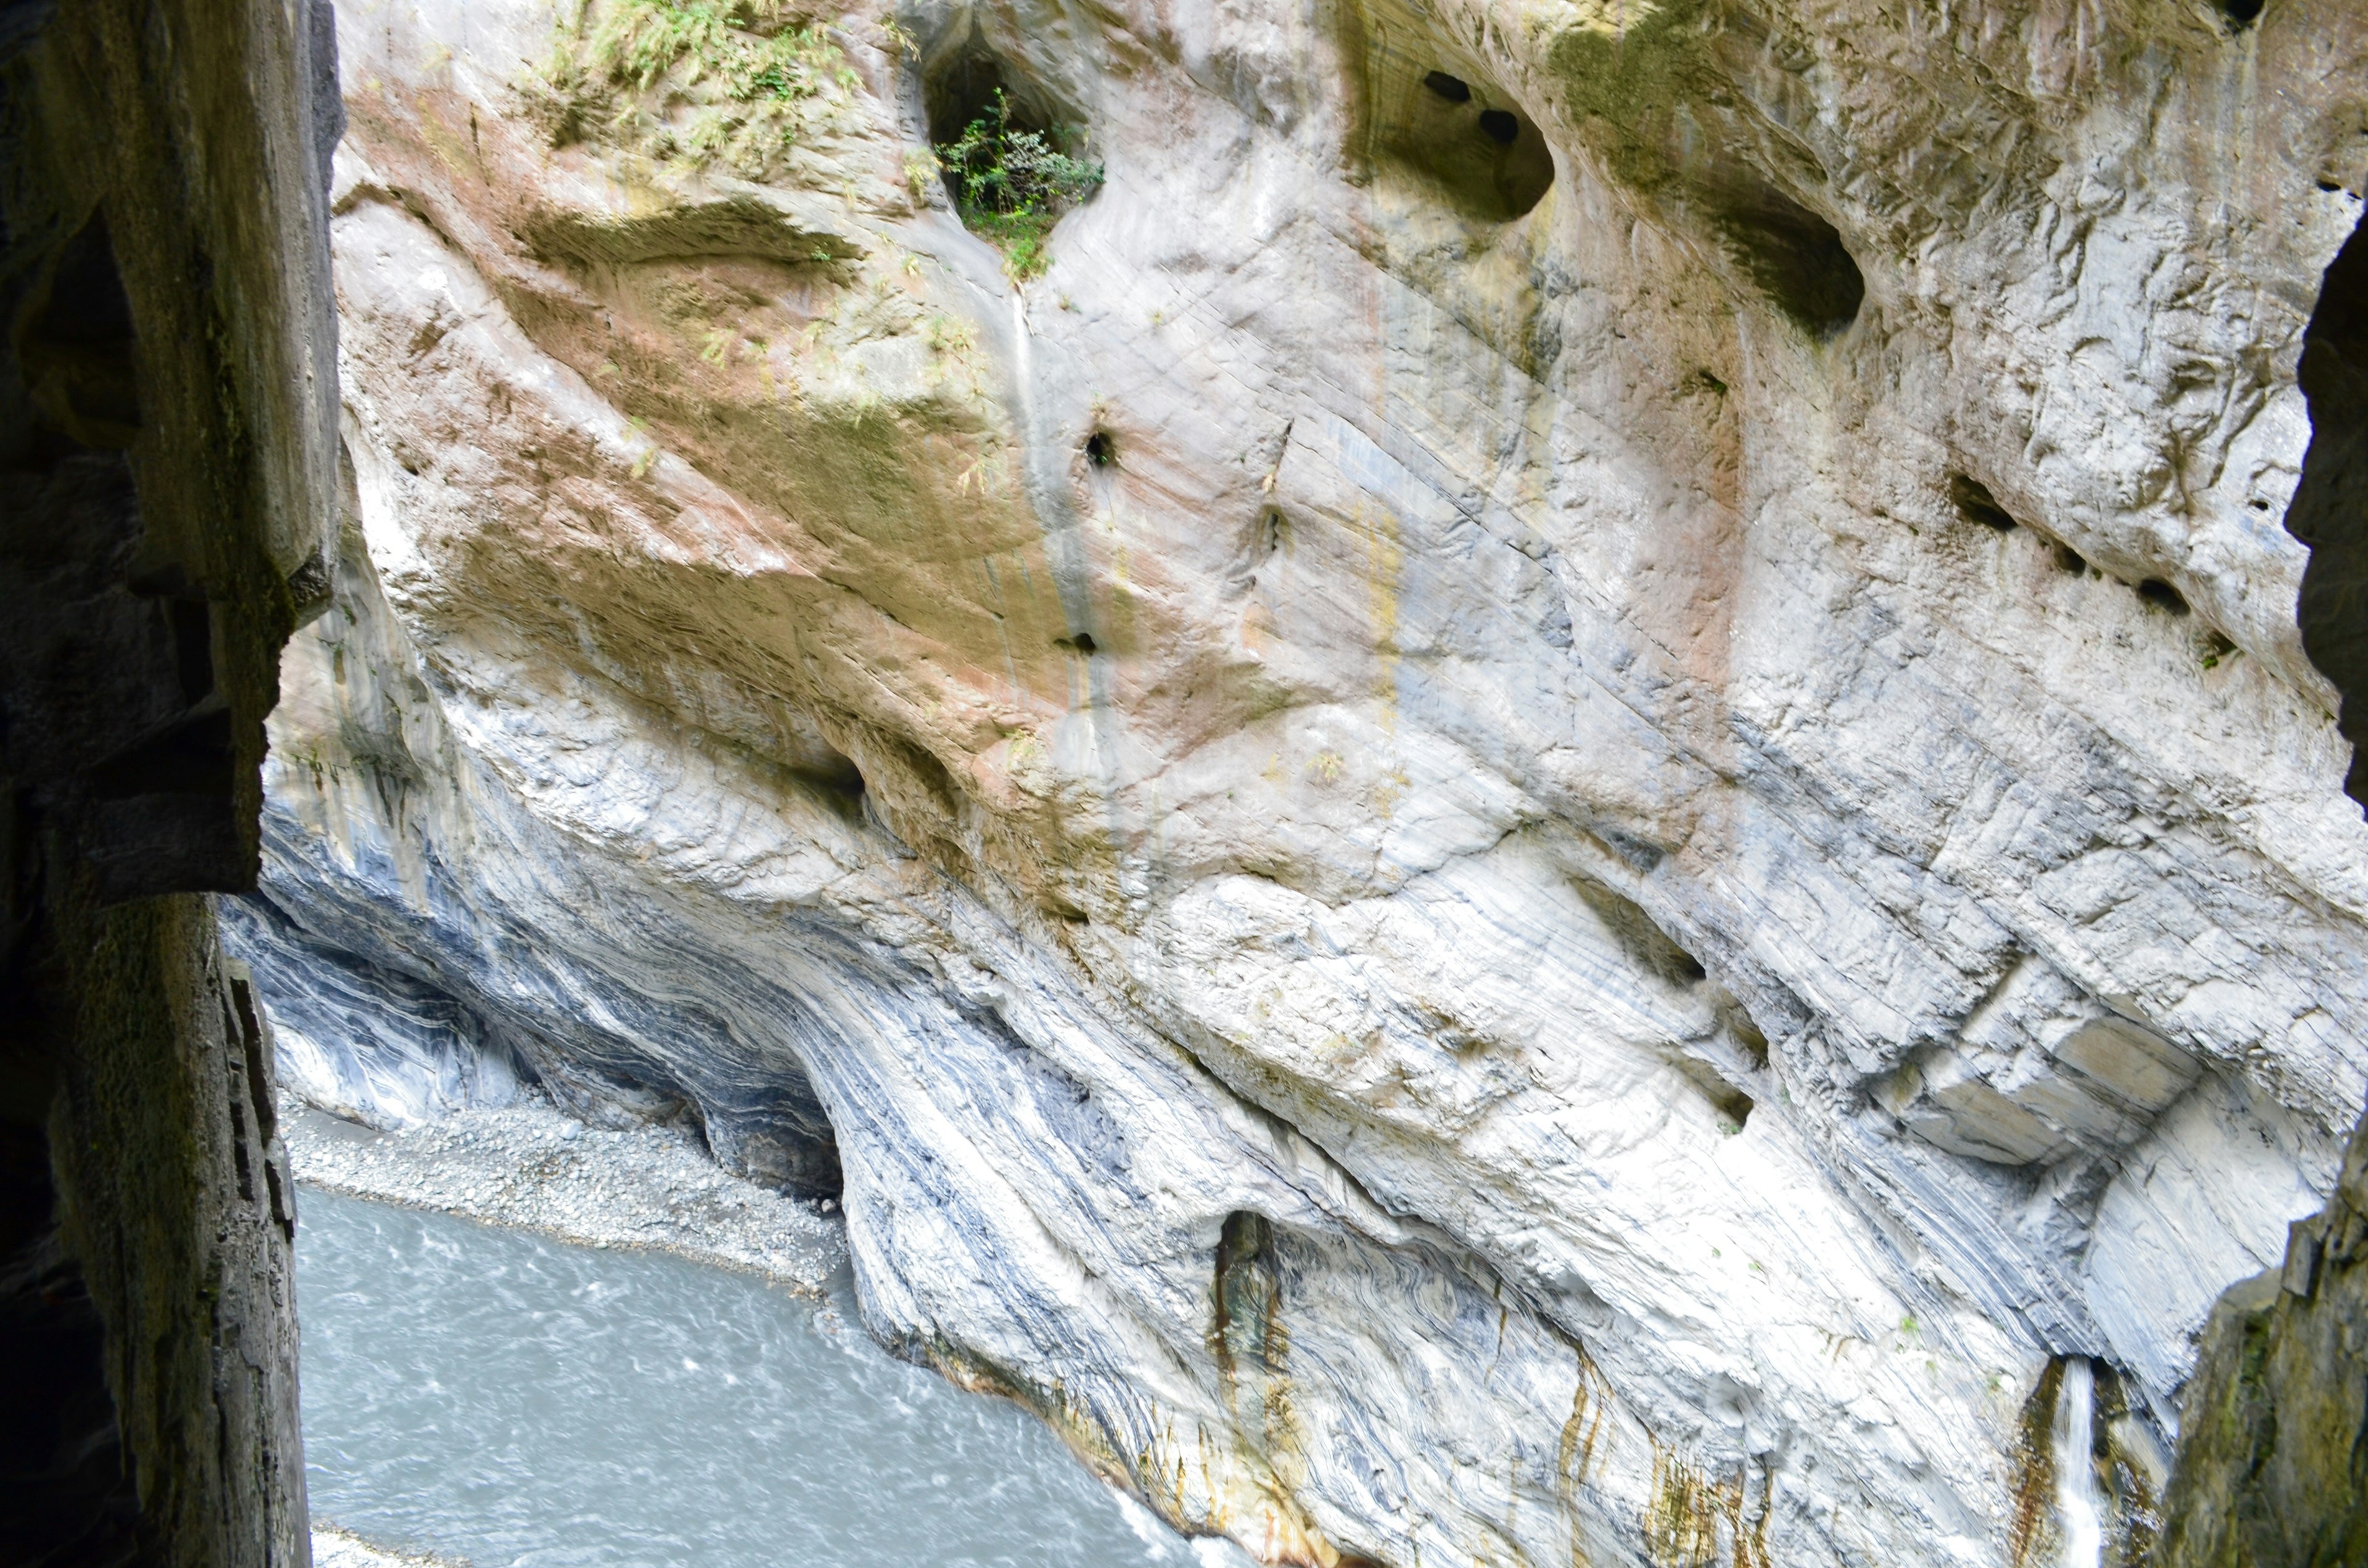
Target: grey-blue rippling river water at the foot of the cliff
503,1399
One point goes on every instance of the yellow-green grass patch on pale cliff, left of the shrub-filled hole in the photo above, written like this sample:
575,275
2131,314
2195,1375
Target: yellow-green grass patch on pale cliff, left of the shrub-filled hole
695,82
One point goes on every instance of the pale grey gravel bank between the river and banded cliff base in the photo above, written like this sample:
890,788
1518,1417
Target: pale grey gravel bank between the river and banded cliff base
539,1169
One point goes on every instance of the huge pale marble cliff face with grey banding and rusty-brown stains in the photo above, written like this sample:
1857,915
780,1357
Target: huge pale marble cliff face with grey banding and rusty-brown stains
1481,849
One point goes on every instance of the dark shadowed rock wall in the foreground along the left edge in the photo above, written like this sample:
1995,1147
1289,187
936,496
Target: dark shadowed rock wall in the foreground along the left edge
167,468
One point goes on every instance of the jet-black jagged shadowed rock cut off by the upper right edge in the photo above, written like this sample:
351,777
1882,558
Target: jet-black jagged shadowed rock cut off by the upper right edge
2331,499
